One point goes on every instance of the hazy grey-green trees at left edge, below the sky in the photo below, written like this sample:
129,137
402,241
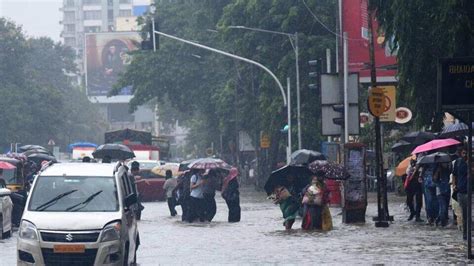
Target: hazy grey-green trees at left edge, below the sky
38,100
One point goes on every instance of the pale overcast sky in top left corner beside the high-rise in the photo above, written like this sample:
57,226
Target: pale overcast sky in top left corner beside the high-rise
37,17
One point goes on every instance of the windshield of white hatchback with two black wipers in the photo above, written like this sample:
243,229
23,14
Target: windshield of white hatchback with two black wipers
78,194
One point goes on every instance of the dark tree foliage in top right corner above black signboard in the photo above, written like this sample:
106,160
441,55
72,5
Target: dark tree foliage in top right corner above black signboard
425,31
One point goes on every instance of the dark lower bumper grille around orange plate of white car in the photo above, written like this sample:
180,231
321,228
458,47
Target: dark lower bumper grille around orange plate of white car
86,258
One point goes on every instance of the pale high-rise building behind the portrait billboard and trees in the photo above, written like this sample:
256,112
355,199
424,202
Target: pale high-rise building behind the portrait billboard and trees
83,18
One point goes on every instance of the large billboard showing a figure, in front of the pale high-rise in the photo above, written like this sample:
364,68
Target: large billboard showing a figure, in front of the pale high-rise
106,57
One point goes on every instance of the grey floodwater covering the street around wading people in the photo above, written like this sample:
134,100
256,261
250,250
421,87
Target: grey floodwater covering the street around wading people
261,239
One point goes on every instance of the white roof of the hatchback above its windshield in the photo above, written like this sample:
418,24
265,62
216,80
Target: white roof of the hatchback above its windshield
80,169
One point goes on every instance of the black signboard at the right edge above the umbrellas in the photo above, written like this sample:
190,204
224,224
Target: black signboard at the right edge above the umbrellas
456,84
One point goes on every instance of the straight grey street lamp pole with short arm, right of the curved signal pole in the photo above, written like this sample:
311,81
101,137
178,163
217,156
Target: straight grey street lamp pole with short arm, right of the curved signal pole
294,44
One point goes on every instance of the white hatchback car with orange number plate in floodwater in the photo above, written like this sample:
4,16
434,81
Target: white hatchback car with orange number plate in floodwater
80,214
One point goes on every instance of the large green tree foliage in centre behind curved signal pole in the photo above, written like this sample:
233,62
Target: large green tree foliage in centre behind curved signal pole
217,96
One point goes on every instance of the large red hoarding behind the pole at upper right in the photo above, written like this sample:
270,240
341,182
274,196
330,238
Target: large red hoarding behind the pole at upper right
354,22
